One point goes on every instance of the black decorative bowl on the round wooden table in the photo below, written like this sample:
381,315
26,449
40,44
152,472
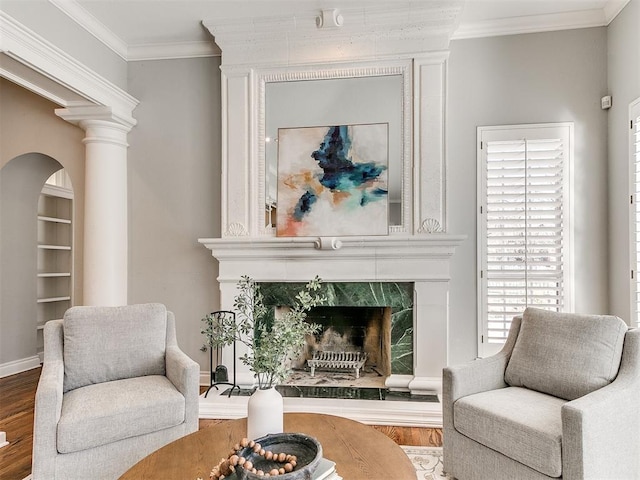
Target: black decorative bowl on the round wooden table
307,450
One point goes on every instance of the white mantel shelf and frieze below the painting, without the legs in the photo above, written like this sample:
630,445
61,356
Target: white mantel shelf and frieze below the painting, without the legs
388,258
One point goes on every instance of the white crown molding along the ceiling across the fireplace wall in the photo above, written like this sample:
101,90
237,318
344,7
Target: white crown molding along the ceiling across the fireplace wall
388,22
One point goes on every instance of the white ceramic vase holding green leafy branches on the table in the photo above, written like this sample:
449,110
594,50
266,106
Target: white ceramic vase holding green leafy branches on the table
264,413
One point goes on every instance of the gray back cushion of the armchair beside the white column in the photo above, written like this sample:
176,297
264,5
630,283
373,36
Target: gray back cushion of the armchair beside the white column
122,349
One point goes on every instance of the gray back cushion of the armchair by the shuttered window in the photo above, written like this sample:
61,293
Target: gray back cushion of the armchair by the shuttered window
566,355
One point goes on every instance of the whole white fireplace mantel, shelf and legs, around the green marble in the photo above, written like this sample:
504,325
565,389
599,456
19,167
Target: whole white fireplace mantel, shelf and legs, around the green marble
423,260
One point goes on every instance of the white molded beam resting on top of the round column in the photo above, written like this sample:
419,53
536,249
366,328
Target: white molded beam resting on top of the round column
73,81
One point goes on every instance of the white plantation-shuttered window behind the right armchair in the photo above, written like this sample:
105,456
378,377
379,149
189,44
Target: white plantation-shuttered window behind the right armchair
524,224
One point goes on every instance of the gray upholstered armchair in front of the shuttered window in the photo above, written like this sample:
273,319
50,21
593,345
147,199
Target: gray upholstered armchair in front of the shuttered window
561,400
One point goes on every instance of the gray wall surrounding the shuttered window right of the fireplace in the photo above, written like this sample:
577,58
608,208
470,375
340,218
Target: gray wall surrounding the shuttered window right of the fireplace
536,78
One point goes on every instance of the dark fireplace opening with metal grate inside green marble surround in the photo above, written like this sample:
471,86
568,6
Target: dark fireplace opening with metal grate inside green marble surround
352,340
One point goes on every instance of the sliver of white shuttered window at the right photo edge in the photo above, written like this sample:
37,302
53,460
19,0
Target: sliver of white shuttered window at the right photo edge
634,154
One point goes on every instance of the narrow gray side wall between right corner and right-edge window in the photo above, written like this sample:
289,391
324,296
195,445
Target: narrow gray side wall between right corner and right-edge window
624,85
